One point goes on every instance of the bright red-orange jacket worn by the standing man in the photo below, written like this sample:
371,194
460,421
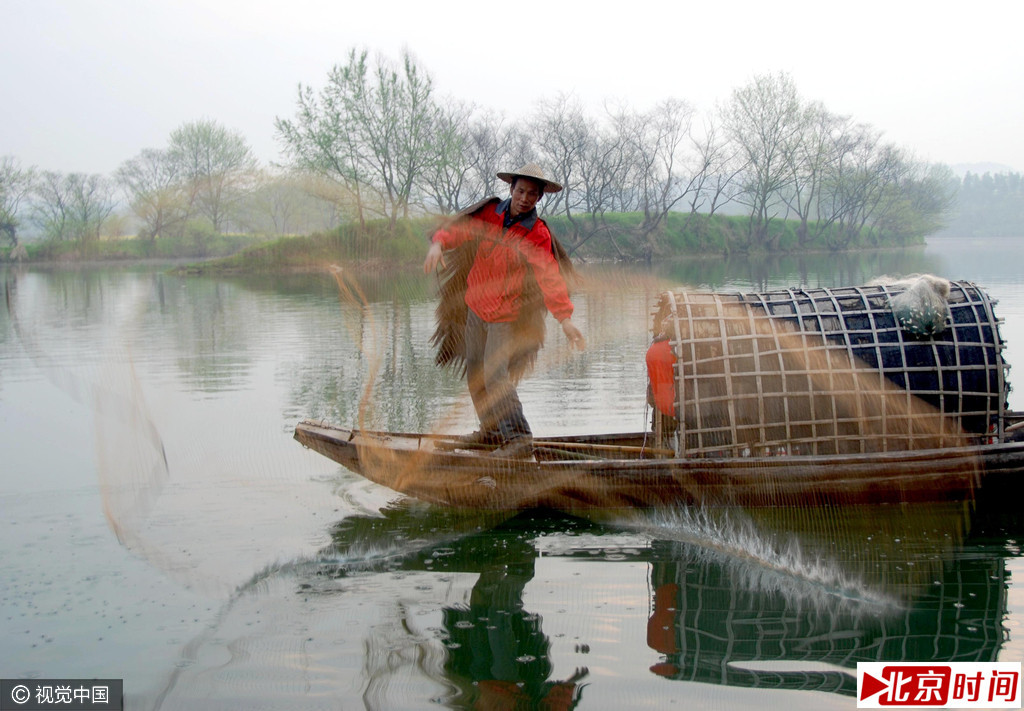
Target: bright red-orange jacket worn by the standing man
495,283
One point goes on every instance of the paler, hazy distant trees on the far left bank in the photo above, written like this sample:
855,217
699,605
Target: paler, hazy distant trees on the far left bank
205,182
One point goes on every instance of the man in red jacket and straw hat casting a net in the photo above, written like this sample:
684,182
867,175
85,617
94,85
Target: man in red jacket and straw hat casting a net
514,245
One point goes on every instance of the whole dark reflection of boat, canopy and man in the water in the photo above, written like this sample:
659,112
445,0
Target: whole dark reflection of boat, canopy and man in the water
792,599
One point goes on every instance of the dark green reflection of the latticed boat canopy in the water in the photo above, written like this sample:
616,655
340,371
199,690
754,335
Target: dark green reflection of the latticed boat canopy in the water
885,585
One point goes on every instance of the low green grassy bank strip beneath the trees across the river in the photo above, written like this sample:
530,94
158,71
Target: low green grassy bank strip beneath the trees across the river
377,245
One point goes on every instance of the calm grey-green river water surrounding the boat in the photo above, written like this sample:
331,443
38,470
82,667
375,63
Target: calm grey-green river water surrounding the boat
162,527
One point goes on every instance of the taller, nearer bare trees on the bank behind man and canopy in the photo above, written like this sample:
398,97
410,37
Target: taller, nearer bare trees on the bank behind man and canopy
379,133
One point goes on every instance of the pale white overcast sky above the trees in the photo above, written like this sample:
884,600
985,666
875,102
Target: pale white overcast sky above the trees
88,85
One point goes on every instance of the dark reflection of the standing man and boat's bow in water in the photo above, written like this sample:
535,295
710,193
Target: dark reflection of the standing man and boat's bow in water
497,654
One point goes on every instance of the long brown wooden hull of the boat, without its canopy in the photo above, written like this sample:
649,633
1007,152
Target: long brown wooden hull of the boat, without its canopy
578,474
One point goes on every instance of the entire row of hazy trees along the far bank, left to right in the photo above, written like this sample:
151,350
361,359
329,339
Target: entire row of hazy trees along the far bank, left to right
377,142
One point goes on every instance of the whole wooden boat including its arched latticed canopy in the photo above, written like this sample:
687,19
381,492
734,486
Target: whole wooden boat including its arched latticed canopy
820,397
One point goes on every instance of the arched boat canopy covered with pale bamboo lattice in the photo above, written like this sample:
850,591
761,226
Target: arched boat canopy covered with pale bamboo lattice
832,371
